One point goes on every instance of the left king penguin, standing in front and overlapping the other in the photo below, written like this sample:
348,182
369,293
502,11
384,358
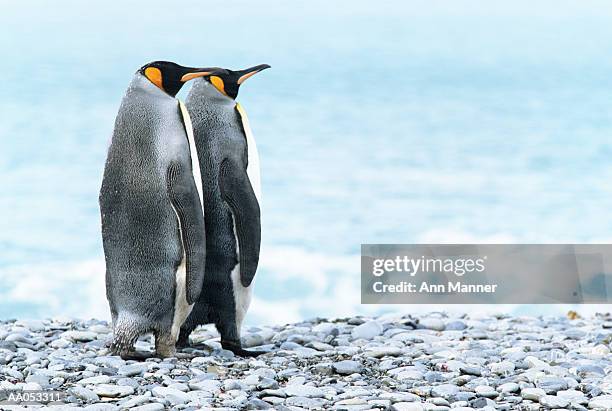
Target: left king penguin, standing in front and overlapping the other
152,215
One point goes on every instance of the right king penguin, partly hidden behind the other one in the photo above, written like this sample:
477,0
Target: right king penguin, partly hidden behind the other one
231,185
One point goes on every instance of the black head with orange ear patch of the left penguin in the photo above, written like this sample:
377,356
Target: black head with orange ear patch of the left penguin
170,77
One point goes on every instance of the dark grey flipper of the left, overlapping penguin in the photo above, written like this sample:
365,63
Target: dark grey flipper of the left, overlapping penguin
186,202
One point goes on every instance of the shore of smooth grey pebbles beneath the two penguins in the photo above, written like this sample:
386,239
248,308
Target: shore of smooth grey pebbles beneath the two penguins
430,362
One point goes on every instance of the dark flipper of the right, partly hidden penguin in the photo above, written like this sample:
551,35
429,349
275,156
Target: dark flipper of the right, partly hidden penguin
238,193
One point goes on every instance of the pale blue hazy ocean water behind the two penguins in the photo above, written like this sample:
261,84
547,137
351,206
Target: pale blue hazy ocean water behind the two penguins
379,122
